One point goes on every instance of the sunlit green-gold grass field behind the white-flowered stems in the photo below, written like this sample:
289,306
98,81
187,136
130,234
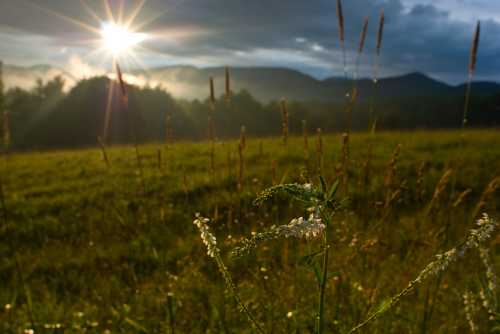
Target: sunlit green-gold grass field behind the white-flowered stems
91,248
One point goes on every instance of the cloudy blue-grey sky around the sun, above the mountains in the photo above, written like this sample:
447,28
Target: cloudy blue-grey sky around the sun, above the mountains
432,37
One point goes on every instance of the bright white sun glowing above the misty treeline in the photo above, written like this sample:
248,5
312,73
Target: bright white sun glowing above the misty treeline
119,40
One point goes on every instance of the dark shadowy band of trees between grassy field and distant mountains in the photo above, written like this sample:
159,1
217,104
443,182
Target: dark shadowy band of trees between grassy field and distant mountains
49,117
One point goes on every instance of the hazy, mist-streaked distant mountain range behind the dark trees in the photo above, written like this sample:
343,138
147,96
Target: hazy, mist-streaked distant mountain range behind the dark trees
266,84
